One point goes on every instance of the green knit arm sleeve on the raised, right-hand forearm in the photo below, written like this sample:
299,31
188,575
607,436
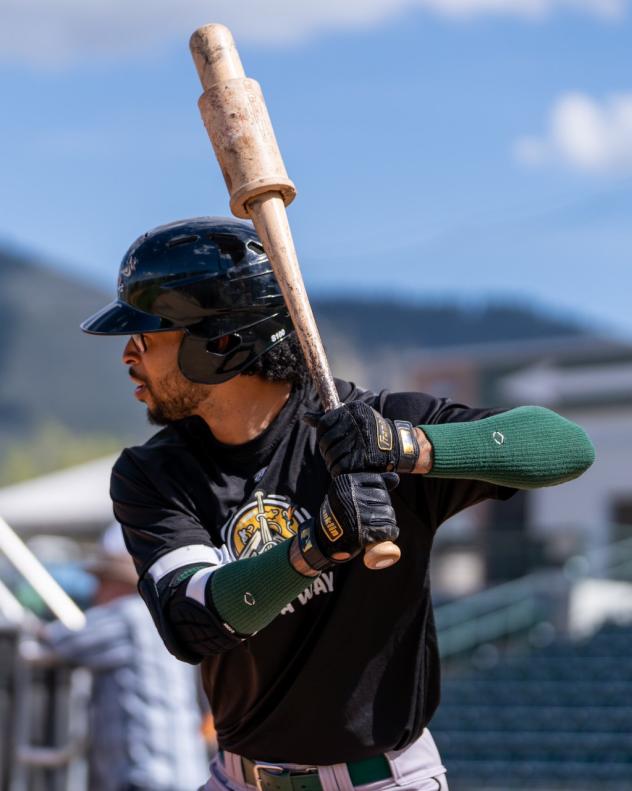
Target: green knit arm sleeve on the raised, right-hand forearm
524,448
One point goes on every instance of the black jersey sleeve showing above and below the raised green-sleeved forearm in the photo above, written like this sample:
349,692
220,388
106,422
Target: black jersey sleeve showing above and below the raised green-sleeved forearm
440,498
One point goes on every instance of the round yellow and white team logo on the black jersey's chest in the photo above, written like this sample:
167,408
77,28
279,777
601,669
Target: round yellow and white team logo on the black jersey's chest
260,524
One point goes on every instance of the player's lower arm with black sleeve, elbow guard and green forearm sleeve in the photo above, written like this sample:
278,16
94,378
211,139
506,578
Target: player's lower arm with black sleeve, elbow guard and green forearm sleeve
203,602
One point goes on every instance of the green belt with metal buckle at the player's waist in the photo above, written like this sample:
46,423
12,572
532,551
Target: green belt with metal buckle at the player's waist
273,777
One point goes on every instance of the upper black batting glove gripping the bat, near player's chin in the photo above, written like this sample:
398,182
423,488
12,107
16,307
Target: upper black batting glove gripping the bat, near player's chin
355,437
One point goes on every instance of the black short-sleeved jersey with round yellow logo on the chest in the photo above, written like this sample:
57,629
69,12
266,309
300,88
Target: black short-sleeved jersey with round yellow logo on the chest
349,669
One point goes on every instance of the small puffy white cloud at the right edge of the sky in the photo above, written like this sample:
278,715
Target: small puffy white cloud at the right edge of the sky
584,134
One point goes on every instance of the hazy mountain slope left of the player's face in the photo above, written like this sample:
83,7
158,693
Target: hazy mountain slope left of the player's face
50,370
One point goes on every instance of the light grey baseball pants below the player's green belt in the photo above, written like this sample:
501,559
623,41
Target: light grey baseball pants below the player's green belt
416,768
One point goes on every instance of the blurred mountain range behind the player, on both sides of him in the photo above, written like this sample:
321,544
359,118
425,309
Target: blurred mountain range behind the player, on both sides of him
50,372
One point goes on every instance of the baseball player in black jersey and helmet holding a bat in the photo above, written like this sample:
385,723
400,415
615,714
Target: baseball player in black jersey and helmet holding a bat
247,515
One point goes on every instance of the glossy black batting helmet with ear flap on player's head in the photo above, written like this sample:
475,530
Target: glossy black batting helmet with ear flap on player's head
210,277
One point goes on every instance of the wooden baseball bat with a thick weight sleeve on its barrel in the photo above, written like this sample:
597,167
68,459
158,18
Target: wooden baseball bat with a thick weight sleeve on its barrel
239,127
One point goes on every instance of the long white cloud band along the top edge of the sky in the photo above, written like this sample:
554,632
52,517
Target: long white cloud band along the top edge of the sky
49,32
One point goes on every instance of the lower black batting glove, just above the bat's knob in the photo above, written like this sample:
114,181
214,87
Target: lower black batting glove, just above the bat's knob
356,512
